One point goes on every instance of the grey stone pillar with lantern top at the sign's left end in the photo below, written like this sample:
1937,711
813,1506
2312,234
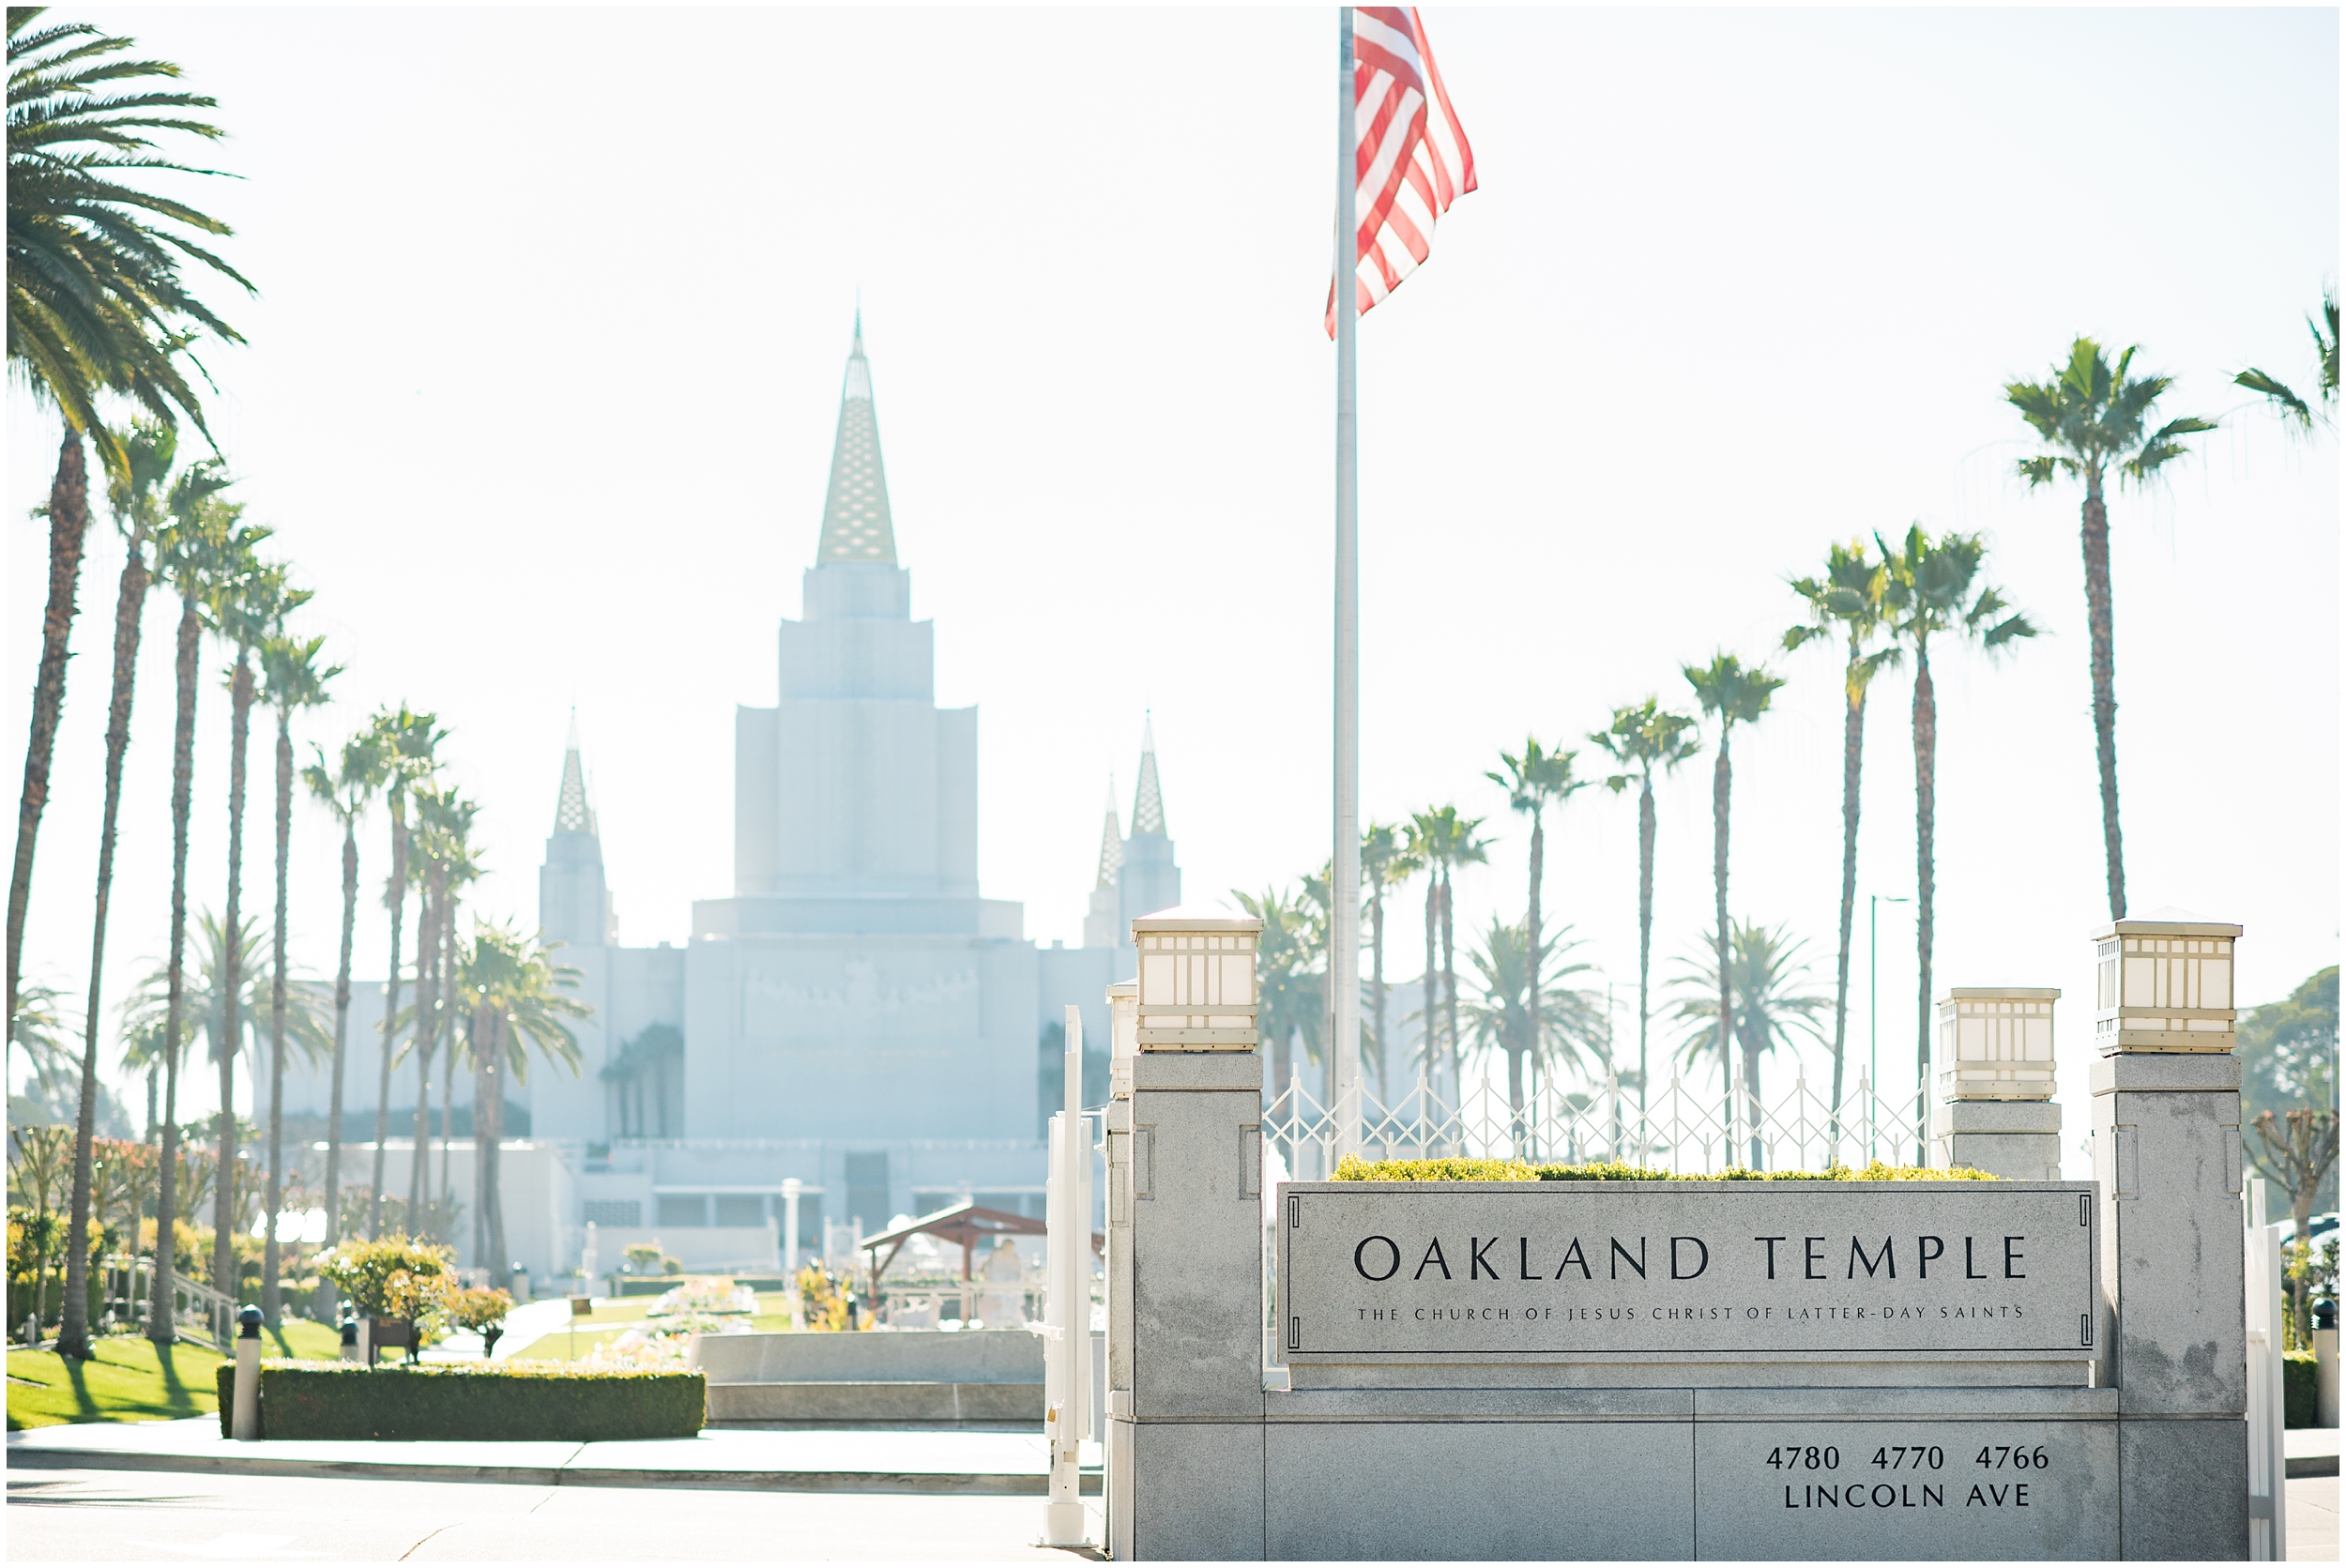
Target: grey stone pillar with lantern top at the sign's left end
1186,1252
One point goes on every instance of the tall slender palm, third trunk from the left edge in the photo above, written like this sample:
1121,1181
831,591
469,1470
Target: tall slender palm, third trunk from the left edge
196,555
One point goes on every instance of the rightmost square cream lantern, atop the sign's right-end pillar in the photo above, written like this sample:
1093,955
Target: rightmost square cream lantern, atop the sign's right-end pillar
2164,987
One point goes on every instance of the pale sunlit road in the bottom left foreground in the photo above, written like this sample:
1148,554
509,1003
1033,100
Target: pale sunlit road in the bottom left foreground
147,1518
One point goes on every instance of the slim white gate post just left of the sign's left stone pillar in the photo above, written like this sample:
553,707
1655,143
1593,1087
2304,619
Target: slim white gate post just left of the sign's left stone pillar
1066,1309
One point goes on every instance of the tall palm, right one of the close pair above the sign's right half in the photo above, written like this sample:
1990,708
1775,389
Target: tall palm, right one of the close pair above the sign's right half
1934,590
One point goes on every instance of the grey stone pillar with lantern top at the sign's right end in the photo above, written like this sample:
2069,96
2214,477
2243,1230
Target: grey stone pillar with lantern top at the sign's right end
2167,1151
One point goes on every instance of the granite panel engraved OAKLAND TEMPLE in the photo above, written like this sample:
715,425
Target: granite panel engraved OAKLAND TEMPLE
1758,1269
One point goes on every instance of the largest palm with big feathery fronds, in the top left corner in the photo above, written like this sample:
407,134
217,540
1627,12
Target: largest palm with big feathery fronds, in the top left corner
95,302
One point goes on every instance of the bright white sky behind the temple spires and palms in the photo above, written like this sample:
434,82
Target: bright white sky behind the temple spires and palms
548,353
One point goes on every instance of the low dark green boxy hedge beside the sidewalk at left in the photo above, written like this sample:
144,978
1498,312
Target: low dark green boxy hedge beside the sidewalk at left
470,1403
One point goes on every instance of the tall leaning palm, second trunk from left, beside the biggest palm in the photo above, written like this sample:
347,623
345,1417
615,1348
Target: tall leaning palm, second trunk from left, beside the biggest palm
142,506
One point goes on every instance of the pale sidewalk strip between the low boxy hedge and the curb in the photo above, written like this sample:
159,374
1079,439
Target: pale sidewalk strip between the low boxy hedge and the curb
940,1461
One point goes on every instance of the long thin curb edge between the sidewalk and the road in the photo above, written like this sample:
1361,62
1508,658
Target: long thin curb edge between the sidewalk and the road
555,1475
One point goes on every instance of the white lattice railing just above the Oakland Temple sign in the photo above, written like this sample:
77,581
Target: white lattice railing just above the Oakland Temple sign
1683,1128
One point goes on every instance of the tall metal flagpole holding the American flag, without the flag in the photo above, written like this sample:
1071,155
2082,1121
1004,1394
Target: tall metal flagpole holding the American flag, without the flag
1345,895
